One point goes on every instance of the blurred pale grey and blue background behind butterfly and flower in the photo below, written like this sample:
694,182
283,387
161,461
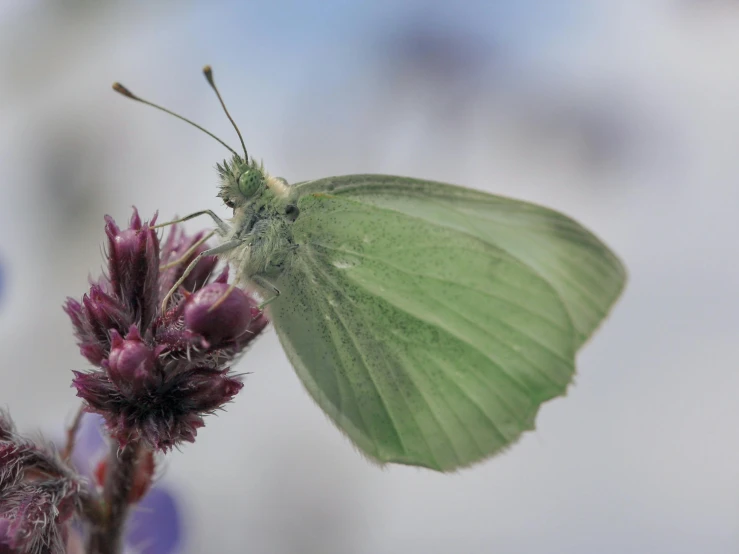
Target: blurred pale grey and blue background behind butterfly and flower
624,115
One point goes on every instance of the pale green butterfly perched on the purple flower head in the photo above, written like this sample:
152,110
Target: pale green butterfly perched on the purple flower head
429,321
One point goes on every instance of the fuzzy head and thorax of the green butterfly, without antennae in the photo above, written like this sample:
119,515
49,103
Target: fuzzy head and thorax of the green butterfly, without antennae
262,221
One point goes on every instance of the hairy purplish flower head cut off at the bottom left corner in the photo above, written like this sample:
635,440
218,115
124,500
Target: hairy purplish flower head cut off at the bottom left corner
39,495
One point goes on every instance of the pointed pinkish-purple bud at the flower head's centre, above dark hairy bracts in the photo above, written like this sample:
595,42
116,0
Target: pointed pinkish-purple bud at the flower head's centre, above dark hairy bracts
131,362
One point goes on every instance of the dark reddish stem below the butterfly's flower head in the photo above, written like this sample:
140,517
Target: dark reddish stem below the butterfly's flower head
105,538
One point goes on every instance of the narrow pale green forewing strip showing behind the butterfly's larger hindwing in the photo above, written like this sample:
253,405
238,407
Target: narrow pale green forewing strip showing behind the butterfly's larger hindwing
584,272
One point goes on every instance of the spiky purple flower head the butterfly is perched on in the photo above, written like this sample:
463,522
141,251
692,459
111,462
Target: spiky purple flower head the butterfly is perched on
158,373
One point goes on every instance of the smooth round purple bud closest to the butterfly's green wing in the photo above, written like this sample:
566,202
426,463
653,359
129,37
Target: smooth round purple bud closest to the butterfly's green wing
216,318
